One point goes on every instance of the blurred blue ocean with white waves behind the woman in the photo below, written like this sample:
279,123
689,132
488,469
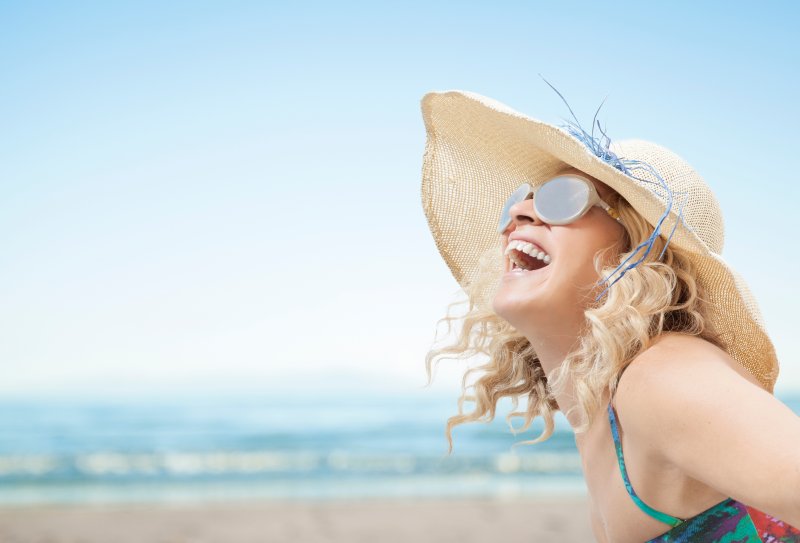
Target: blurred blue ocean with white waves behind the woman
273,446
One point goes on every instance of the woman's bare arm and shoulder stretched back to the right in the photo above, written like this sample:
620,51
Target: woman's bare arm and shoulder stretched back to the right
684,398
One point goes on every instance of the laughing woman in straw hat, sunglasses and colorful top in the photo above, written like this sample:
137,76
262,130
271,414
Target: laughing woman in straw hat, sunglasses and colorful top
585,261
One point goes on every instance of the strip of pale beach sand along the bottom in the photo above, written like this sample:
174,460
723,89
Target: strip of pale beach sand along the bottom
528,520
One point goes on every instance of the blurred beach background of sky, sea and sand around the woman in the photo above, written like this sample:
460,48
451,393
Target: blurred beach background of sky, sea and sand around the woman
217,285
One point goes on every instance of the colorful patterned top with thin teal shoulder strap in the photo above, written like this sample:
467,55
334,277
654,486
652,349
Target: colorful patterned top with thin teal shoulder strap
727,521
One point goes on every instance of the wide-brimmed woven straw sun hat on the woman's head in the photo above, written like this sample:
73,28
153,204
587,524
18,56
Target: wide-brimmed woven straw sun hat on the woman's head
479,150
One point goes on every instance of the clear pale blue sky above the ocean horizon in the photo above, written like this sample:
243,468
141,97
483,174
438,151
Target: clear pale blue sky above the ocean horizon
227,195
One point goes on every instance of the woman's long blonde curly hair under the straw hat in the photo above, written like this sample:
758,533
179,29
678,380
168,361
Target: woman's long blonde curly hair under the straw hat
653,298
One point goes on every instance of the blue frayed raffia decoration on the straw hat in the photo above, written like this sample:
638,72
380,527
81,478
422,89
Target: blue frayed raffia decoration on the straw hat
599,146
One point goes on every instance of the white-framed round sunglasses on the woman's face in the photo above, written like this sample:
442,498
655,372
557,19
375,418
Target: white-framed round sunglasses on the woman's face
558,201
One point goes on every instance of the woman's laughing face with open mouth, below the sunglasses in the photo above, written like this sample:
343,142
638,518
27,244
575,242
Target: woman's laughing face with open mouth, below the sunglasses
567,284
